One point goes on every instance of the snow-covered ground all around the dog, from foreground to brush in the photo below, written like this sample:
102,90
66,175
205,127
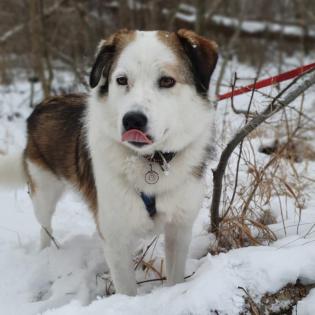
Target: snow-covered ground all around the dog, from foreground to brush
74,278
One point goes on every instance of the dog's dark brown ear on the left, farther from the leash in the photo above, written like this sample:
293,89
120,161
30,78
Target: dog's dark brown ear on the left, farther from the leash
106,52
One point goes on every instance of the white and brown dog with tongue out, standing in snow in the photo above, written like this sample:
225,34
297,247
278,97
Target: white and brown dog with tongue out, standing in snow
136,147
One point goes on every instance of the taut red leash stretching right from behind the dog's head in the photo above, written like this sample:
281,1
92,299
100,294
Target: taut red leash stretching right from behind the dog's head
269,81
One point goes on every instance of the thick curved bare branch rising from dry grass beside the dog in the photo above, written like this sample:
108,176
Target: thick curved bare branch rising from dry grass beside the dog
282,100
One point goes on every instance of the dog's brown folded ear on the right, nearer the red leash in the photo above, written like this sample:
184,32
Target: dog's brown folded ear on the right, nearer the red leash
203,56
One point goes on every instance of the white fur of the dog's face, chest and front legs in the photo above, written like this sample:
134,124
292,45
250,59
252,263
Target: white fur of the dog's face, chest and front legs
178,120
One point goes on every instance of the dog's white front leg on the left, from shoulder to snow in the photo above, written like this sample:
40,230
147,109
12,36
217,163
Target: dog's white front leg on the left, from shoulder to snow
114,221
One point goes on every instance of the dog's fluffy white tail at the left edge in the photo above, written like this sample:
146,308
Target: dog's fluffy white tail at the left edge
12,172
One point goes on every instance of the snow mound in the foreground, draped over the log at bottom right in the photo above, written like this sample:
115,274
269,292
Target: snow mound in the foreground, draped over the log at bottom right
216,285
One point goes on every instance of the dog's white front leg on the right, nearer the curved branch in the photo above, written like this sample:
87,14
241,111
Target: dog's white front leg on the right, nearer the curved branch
177,240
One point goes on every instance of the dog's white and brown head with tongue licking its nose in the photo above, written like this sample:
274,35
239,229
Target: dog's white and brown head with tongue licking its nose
151,88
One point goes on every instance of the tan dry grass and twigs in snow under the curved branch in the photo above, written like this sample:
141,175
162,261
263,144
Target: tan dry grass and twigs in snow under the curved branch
249,202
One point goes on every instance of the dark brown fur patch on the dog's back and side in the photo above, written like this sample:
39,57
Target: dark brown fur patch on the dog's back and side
57,143
